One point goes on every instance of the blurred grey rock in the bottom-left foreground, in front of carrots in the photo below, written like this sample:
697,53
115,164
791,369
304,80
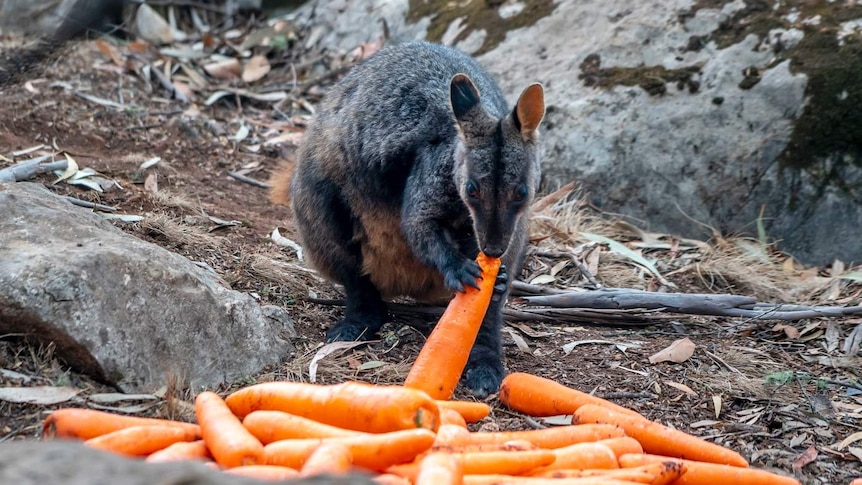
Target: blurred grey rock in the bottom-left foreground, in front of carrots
70,463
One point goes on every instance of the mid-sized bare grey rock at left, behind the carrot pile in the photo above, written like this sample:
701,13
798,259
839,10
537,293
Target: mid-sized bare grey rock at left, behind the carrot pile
121,309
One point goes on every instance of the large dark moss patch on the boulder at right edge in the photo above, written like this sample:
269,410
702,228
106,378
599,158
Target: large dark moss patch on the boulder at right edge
827,137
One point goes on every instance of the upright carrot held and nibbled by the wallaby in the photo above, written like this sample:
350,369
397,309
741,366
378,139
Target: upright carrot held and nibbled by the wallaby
438,367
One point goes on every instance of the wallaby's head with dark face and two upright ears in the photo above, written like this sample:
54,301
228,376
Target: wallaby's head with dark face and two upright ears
496,161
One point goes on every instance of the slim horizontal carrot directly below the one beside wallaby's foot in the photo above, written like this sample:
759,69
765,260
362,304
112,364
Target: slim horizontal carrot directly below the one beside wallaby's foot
555,437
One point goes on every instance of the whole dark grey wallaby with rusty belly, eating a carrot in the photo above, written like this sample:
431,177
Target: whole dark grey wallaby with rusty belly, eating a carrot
412,165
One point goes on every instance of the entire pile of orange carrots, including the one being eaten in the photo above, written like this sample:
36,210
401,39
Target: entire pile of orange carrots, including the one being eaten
413,434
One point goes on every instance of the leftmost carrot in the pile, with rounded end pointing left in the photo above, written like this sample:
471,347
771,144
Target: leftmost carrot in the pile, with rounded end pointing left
84,424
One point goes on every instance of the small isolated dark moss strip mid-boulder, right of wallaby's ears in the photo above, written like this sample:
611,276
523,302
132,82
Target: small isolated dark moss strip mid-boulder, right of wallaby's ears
653,79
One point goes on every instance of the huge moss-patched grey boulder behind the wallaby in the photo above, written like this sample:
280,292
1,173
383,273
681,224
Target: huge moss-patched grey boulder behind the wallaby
671,111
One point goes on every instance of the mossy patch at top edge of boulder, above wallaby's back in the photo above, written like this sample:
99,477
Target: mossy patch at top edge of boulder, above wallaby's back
476,15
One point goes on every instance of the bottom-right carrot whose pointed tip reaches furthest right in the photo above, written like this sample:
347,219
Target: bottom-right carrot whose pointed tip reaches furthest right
703,473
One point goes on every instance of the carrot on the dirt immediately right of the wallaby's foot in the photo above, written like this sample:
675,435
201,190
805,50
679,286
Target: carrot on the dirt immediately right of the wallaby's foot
537,396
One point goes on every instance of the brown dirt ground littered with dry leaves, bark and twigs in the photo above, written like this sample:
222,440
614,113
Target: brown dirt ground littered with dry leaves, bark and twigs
784,397
